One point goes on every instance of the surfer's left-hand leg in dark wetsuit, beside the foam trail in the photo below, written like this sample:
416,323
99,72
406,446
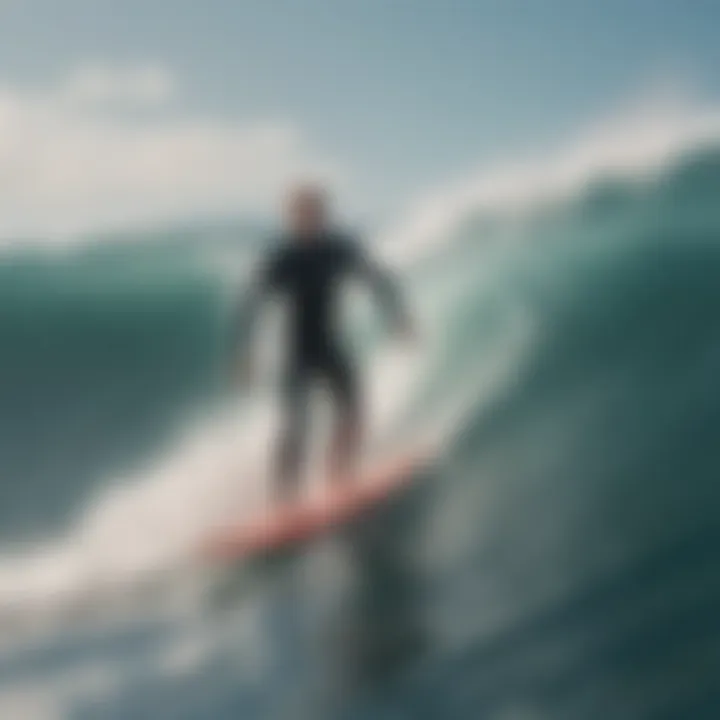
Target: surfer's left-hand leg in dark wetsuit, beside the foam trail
291,446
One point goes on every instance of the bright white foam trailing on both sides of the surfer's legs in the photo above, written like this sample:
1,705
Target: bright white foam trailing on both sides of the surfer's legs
137,529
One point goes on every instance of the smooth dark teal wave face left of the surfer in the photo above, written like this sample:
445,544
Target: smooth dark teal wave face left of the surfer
102,349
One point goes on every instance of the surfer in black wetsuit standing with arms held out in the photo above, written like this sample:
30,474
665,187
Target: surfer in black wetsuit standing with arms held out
307,269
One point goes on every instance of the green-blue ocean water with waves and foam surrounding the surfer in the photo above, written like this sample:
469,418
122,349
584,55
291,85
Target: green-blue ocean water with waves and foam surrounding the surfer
559,559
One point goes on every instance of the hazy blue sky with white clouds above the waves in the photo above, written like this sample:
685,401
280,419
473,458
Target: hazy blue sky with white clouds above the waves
119,109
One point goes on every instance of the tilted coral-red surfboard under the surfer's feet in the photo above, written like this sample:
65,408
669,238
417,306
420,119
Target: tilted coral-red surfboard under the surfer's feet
339,503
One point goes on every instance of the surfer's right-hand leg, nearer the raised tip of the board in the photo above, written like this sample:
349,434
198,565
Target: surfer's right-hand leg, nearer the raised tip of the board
347,430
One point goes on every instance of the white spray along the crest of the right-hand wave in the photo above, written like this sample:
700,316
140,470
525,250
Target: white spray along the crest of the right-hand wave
636,147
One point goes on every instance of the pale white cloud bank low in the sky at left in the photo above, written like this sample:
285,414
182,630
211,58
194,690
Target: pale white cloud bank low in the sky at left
72,160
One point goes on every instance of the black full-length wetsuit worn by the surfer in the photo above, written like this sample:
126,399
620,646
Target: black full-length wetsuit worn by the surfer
308,274
